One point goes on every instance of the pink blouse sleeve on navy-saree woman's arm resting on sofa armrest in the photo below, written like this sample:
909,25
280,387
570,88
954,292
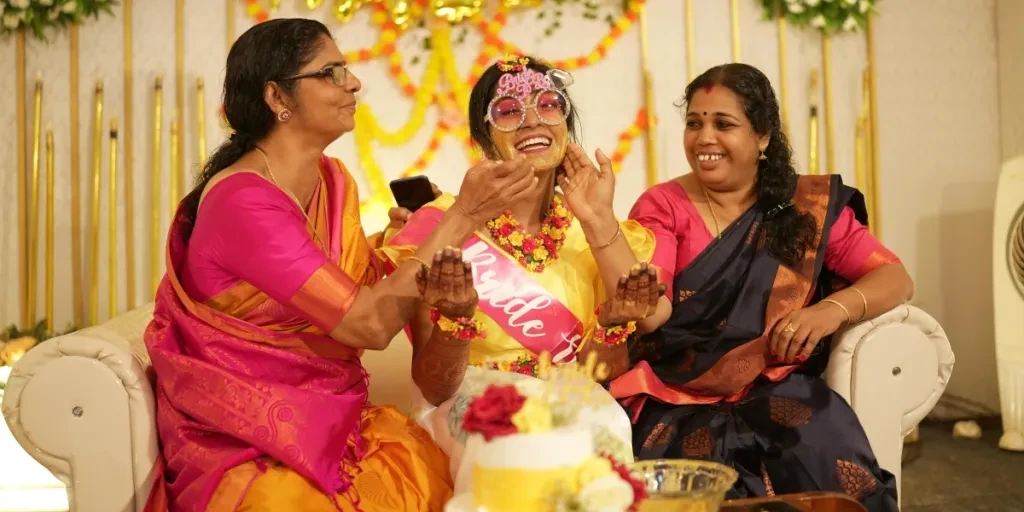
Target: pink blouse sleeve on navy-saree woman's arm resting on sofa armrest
852,250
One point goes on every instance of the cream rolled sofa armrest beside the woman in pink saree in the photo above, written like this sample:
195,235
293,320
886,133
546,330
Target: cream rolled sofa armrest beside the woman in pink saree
83,407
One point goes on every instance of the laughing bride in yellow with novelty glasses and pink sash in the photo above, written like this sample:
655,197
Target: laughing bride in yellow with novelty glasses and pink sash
537,274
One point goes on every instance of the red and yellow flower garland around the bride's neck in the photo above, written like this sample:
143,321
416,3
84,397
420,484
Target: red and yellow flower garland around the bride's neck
533,251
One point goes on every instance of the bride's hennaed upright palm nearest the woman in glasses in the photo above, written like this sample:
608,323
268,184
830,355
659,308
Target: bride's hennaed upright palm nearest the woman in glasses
448,285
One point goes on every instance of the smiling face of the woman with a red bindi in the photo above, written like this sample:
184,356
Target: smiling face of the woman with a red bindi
721,146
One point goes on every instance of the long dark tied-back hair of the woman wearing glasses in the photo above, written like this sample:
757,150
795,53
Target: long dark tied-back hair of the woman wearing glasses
269,52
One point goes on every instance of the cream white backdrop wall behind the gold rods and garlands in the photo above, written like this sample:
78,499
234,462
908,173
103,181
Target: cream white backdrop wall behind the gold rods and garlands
940,131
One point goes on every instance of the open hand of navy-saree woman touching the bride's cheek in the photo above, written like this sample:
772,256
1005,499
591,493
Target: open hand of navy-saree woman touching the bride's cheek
588,190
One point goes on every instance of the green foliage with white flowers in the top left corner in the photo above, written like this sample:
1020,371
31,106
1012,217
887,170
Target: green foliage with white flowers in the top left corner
38,16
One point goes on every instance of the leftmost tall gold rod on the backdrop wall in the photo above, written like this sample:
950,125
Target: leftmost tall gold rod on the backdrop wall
23,180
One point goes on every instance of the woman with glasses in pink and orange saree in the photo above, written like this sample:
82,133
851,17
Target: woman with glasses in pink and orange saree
273,293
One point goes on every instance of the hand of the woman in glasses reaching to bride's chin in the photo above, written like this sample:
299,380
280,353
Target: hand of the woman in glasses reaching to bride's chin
491,188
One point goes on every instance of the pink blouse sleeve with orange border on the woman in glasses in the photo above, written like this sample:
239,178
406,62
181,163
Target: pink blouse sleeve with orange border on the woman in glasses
258,234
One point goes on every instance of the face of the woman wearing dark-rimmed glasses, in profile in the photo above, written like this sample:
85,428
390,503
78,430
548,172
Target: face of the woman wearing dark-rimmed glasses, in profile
324,98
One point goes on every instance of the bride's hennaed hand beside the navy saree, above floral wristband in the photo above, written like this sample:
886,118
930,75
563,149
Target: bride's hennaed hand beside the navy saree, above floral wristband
636,297
